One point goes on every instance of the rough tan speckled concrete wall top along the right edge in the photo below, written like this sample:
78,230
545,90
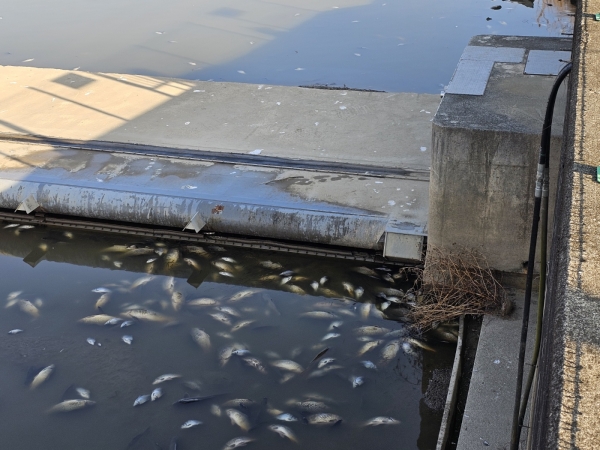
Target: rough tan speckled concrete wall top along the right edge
566,415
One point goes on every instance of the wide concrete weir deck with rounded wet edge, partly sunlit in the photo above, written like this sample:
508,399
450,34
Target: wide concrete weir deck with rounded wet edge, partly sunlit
329,167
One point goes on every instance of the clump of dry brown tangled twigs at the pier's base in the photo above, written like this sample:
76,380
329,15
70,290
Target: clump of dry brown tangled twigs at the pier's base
453,284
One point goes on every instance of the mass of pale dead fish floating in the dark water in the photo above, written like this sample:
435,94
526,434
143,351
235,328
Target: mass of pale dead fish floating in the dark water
340,310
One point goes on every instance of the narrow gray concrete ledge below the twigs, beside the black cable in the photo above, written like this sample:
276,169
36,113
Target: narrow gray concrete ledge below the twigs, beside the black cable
487,419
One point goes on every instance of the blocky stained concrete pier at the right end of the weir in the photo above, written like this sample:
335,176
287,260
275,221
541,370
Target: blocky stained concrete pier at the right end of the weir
484,157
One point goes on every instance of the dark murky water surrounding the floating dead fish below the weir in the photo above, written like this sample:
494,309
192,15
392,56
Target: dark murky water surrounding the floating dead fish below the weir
58,272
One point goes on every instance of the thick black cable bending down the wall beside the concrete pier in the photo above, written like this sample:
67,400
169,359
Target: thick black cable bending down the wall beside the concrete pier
542,172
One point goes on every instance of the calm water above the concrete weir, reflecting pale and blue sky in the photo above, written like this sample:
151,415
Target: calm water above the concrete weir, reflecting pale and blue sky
391,45
